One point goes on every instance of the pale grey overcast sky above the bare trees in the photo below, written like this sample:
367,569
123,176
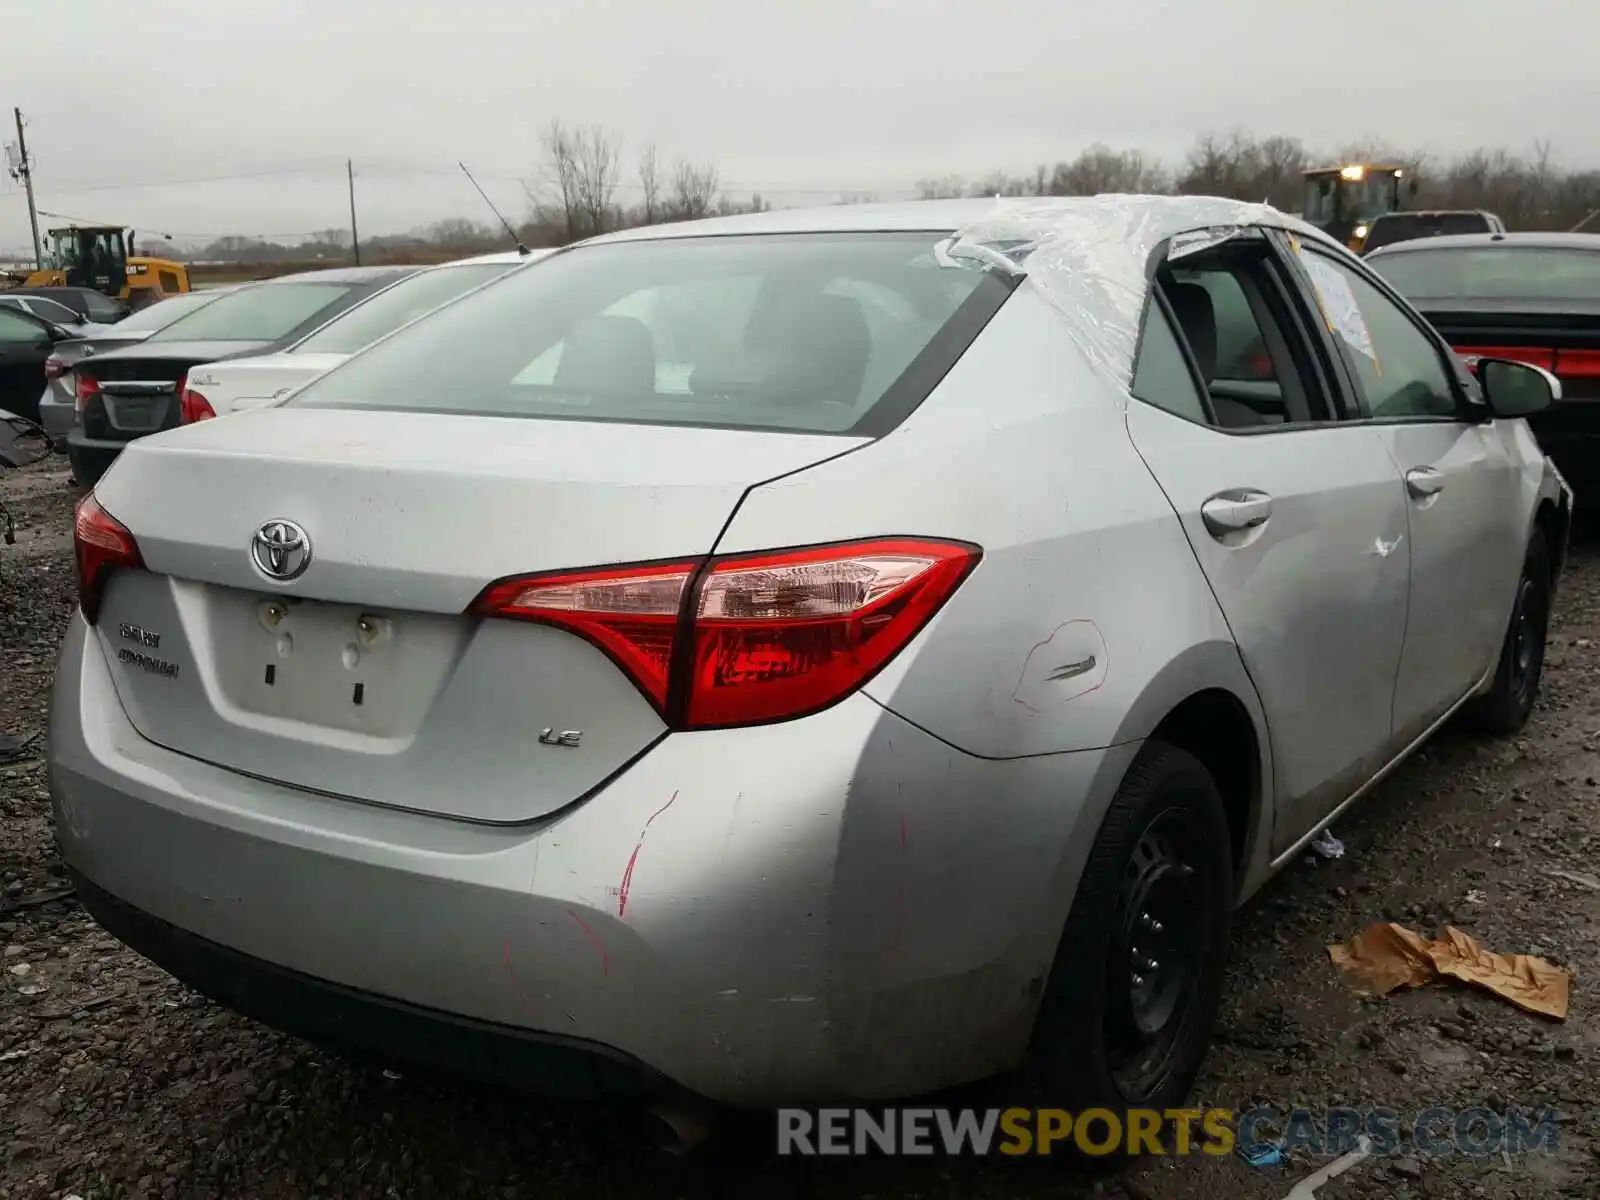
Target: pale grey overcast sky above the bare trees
798,100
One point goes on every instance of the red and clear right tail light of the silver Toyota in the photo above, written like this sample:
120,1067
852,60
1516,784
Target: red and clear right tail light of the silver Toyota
748,639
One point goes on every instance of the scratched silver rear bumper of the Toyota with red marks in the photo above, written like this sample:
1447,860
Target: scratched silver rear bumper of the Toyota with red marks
839,908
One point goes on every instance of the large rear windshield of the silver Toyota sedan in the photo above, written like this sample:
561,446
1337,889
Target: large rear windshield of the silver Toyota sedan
788,332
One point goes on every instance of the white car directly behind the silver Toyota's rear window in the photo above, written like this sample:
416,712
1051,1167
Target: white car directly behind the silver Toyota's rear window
239,385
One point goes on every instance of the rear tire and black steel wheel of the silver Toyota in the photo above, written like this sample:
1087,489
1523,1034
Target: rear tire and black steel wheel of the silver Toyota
1159,884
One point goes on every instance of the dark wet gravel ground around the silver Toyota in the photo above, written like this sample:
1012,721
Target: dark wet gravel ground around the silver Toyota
119,1082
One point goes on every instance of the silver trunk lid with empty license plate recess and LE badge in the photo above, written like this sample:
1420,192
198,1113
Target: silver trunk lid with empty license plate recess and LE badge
362,678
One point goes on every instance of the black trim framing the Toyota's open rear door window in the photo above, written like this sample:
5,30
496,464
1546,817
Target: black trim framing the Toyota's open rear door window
1281,297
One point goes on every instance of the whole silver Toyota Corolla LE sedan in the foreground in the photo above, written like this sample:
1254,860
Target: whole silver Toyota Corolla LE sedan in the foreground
806,655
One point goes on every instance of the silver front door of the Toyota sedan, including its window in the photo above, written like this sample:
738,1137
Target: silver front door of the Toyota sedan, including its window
1462,471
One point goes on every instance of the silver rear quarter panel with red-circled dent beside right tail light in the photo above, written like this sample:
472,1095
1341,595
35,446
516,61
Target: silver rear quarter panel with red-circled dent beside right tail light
1025,452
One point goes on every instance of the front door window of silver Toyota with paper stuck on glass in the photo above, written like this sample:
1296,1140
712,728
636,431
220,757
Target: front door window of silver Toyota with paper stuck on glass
1398,367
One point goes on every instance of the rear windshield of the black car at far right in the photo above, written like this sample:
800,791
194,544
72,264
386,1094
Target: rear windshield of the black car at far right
1494,274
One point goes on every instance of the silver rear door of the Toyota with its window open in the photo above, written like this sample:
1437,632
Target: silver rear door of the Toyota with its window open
1295,516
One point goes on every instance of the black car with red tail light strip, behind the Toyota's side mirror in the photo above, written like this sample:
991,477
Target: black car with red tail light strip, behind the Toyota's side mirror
1527,297
